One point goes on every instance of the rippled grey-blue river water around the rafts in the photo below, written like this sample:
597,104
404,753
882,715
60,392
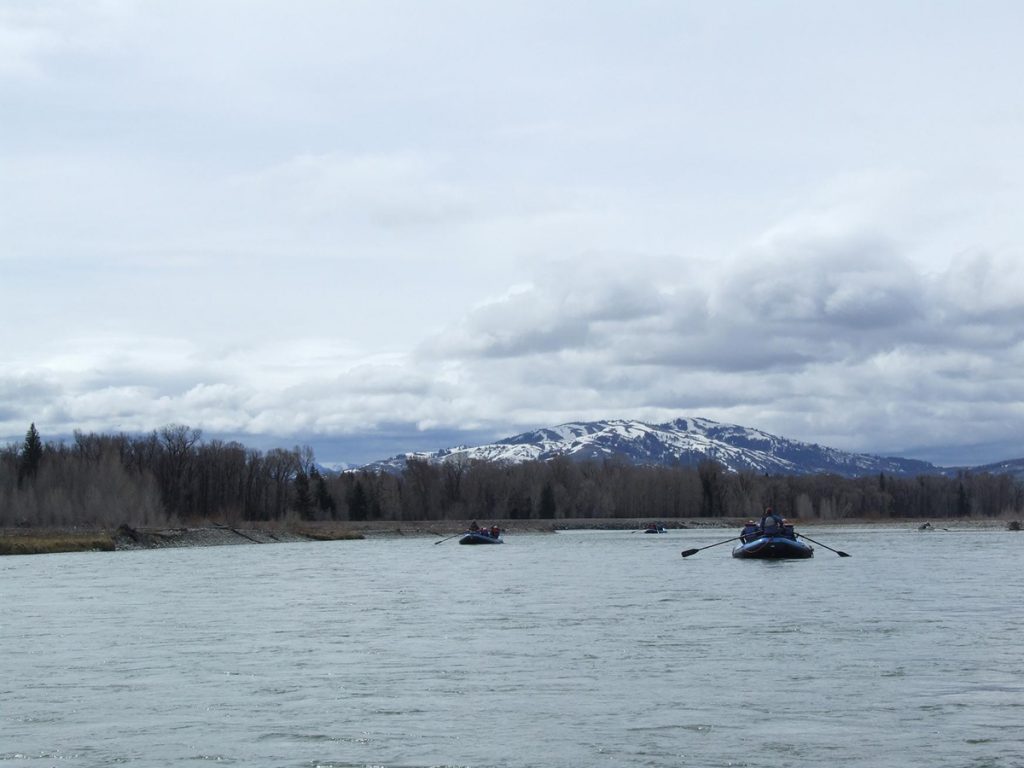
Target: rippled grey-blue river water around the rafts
569,650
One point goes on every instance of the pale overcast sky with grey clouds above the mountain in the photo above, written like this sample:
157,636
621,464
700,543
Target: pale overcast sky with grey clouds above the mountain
388,226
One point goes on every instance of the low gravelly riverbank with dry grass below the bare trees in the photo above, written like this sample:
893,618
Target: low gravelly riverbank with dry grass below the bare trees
126,538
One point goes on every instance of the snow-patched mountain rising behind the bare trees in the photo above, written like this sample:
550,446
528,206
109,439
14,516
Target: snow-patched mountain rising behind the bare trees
684,442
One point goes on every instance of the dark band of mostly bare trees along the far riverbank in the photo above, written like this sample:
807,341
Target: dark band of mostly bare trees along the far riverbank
173,477
